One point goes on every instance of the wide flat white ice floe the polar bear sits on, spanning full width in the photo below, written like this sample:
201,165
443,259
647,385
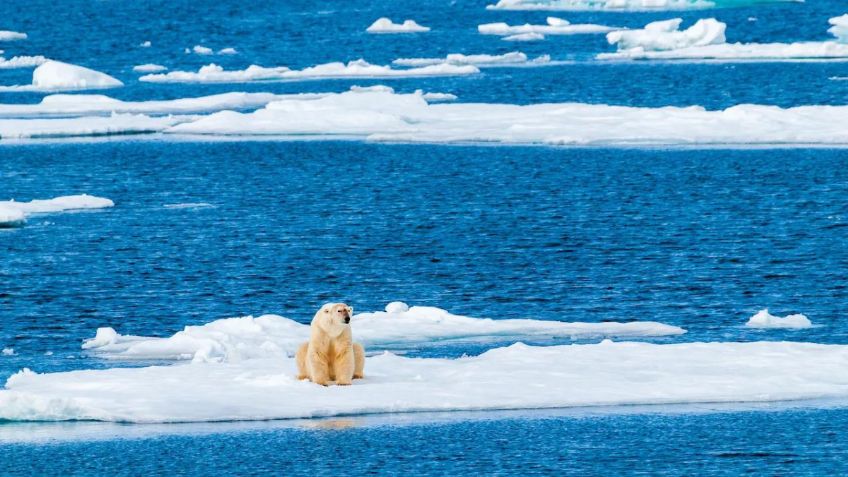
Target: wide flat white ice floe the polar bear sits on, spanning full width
514,377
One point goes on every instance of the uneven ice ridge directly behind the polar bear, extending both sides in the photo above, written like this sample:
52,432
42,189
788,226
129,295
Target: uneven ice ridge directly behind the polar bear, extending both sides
238,339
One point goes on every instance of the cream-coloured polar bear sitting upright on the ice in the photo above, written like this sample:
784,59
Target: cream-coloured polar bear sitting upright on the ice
330,354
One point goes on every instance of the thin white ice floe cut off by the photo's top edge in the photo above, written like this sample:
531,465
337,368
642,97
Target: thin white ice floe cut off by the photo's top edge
623,5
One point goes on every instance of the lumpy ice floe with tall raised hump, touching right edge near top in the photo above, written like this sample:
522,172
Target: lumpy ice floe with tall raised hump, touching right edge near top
705,40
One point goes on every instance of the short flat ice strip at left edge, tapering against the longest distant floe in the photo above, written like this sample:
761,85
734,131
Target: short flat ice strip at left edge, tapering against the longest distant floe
85,126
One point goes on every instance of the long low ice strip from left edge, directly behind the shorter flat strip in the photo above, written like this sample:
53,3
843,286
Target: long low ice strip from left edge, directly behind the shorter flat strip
95,104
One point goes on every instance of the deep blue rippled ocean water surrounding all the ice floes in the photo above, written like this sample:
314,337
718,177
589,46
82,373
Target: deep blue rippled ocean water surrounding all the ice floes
699,238
